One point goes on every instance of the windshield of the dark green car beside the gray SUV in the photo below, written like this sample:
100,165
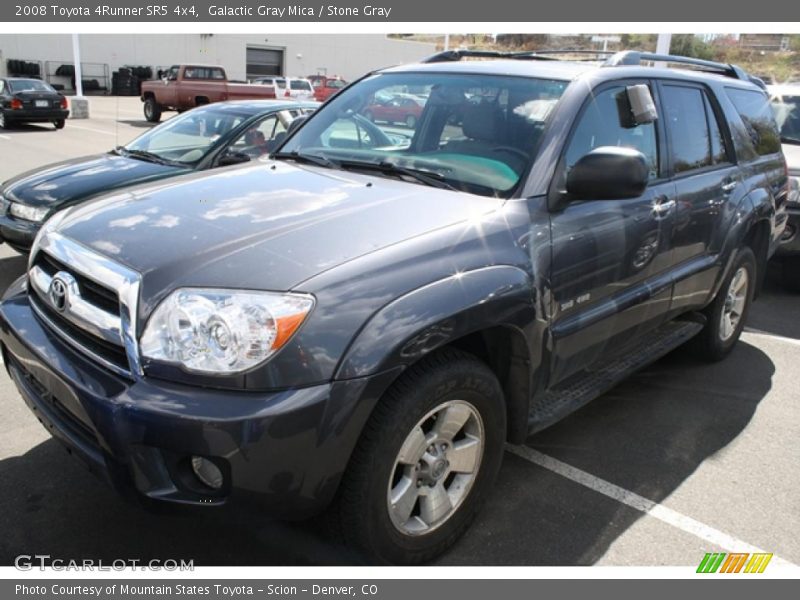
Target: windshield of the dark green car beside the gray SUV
187,138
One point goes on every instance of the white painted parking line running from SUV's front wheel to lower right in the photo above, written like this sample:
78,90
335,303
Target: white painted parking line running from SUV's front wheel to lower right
640,503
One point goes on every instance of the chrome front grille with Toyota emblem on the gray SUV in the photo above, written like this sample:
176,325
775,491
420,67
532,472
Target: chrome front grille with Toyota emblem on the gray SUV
87,299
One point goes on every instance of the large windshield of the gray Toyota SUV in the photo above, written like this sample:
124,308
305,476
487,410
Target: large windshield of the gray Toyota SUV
475,133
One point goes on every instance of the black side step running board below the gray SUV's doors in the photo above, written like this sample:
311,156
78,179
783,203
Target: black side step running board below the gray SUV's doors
558,402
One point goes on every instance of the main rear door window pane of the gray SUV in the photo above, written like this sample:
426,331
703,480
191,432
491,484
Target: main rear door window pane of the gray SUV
685,113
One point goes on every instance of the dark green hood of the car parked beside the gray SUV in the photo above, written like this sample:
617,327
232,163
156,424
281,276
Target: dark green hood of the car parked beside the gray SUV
79,178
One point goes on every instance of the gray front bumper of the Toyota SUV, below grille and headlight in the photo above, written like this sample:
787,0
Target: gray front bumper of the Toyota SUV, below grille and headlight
283,451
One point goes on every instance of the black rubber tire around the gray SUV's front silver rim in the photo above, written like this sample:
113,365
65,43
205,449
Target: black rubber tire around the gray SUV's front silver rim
361,513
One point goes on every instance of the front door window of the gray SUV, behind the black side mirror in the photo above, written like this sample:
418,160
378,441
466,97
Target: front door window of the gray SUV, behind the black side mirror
600,125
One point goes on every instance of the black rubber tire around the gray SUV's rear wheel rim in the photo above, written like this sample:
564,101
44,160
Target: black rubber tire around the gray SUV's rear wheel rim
711,344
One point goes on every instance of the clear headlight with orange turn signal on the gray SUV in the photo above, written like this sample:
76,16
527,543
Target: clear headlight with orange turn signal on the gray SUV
222,331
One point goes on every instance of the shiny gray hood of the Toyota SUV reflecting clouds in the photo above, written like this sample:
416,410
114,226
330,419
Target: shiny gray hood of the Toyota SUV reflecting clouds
268,226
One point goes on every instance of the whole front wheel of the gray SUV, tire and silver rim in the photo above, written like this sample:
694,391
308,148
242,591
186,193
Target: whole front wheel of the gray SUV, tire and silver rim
449,385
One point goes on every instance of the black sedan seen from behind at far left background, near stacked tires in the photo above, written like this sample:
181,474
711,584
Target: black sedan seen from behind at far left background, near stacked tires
25,100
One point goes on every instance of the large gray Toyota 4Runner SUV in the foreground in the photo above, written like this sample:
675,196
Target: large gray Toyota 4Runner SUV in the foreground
361,326
